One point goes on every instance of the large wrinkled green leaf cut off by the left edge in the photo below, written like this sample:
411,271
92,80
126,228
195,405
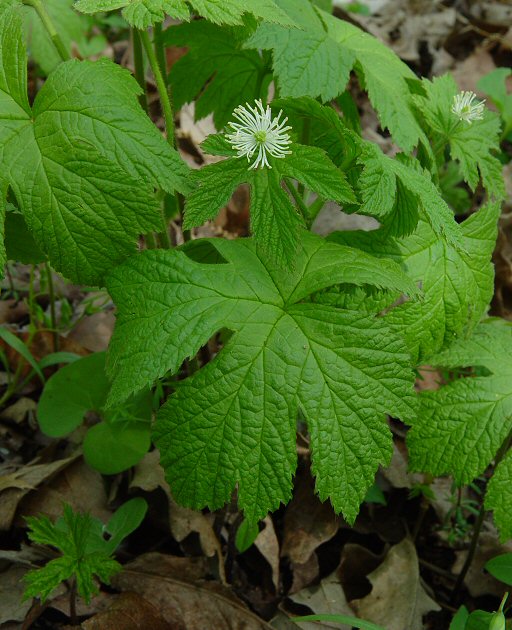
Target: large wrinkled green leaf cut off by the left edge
83,162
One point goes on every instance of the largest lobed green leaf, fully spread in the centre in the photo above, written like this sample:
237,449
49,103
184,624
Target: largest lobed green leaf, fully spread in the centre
233,422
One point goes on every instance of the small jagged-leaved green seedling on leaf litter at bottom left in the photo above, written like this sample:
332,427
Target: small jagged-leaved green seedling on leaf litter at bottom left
86,545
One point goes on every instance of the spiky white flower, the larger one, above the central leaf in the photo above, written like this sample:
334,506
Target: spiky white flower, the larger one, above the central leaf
258,132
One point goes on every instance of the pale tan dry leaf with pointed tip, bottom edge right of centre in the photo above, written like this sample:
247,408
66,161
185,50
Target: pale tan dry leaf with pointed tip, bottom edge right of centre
398,600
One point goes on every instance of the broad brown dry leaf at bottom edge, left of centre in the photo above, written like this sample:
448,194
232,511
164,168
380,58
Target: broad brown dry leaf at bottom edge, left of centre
176,586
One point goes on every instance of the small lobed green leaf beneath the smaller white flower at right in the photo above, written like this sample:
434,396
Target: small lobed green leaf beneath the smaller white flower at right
471,144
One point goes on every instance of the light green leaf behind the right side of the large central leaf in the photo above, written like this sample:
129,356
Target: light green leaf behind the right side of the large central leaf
457,283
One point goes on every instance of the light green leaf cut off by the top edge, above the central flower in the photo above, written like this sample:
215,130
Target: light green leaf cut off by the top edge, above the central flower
143,13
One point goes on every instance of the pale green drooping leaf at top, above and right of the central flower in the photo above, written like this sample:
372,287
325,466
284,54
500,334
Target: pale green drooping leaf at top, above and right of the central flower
316,61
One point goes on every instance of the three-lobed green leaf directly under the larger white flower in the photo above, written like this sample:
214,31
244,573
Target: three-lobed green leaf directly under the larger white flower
275,222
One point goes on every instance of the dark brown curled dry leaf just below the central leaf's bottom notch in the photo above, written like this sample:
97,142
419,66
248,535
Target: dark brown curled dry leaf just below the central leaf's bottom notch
308,522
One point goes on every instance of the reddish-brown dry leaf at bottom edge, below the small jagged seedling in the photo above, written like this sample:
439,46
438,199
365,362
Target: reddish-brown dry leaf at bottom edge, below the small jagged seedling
128,612
